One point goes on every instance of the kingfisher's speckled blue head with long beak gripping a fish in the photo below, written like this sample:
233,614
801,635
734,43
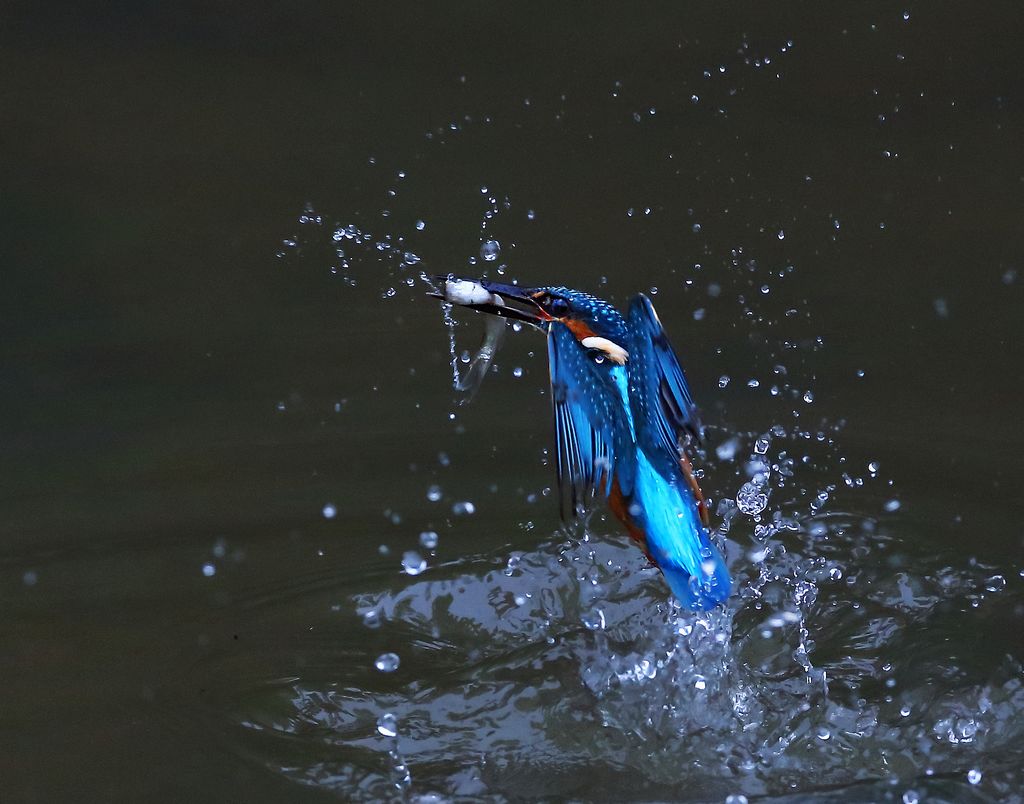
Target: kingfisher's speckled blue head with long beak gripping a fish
595,323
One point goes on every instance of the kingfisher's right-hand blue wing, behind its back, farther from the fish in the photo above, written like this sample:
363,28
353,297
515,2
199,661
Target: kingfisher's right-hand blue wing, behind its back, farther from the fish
667,408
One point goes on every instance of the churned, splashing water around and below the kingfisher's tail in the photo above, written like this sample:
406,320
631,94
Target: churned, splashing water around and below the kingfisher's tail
815,671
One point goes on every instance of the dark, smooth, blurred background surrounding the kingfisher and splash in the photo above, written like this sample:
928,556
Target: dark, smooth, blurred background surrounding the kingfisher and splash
156,157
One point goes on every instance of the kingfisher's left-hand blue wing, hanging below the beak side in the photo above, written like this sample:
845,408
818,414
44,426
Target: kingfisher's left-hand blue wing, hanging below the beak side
591,425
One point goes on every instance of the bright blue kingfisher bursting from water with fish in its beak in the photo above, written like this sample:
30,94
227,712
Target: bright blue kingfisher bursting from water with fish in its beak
624,419
